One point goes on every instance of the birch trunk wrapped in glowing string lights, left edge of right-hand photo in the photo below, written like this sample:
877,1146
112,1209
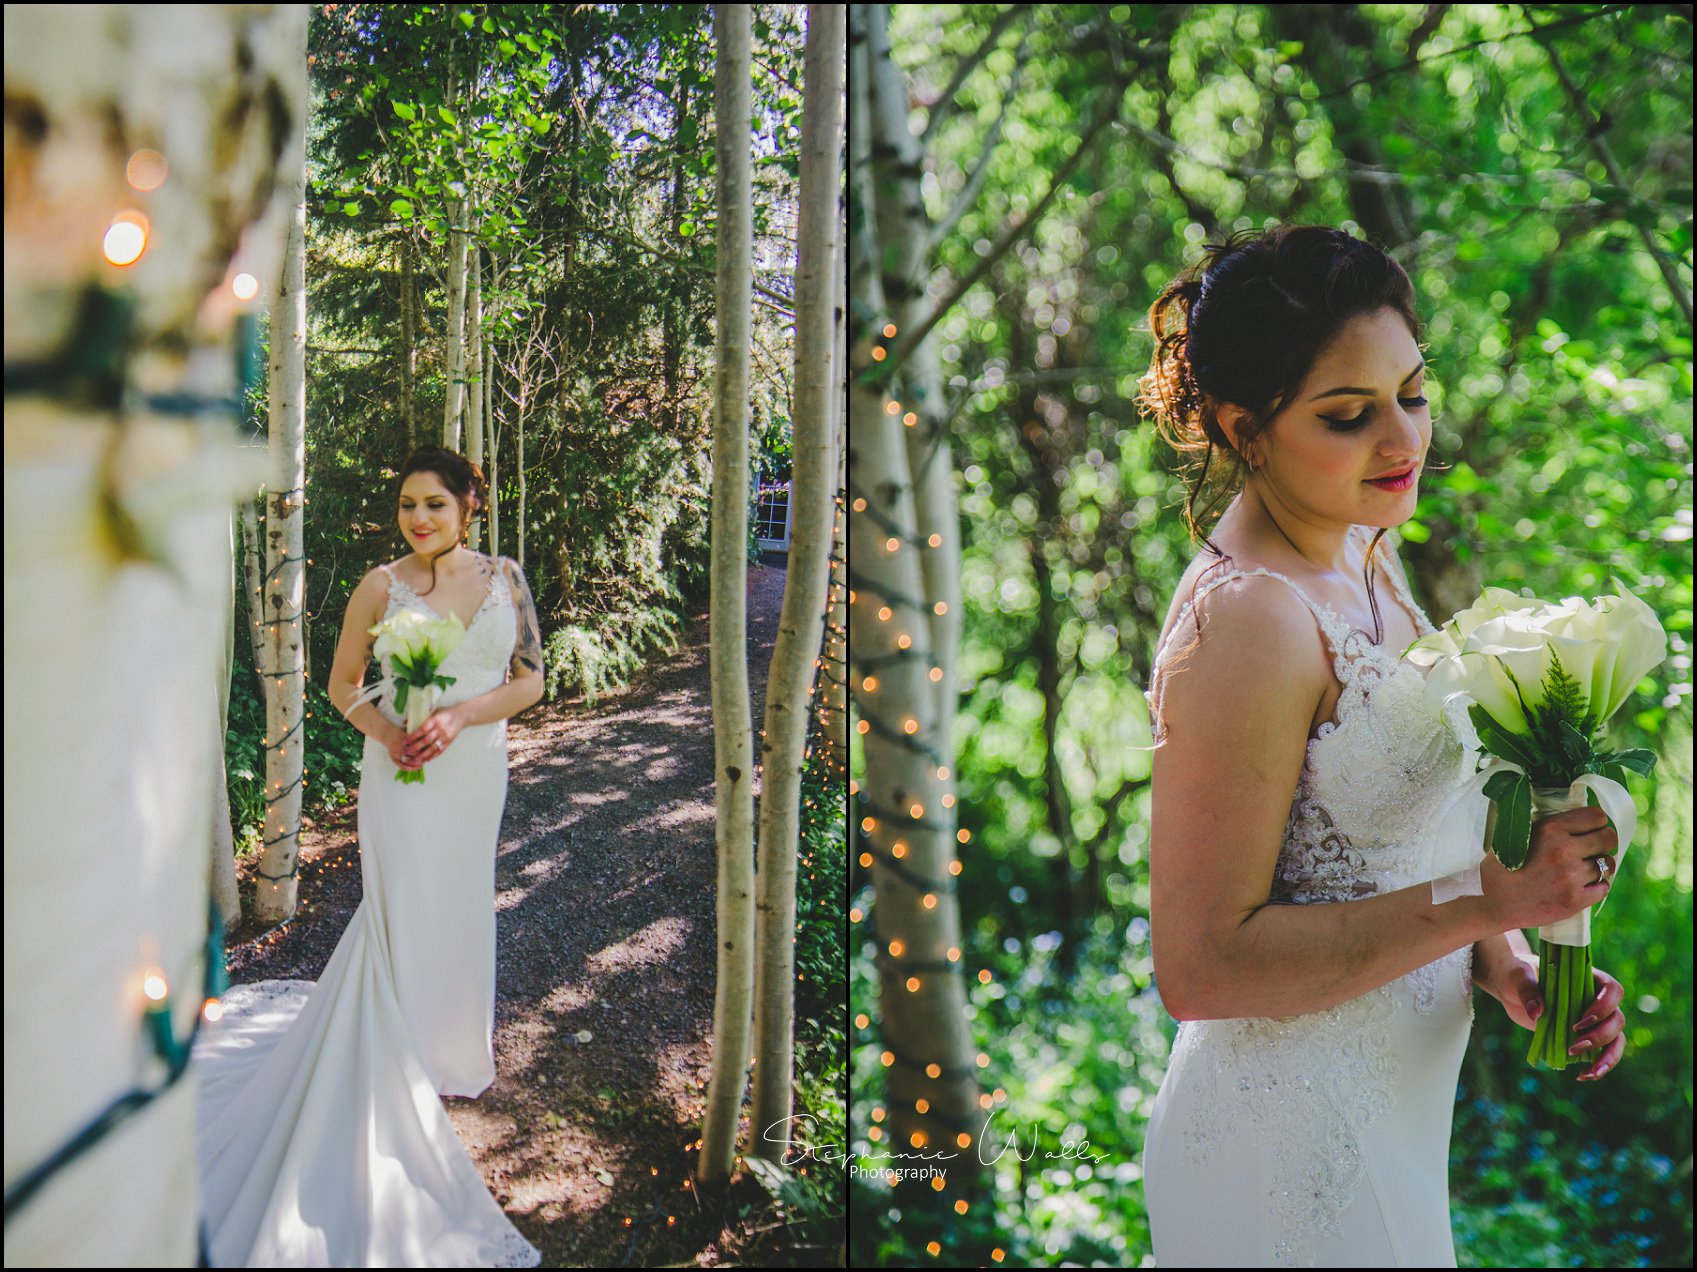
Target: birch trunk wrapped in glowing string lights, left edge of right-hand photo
900,467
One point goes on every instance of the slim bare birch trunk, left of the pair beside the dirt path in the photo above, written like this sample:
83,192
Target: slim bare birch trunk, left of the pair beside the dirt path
729,625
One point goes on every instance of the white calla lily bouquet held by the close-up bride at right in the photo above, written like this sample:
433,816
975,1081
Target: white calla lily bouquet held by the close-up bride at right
1540,681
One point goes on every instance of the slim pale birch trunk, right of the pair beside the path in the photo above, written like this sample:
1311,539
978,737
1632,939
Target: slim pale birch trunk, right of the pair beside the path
802,623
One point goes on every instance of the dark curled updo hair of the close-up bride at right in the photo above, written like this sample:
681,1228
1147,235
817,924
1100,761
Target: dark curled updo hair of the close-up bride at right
1245,326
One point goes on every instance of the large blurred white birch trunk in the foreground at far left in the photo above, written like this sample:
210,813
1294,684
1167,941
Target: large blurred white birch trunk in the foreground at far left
113,584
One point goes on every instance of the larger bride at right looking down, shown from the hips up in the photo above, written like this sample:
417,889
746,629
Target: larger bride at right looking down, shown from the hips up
1321,983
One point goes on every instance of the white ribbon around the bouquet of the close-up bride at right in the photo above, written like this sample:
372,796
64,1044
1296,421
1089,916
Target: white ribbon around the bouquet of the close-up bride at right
1460,839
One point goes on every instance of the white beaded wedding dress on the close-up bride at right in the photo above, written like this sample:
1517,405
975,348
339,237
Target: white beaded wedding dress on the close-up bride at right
1323,1141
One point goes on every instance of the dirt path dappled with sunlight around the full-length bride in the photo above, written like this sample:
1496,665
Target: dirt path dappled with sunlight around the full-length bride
605,895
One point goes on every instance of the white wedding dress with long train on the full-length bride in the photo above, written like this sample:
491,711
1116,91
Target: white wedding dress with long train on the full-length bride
322,1137
